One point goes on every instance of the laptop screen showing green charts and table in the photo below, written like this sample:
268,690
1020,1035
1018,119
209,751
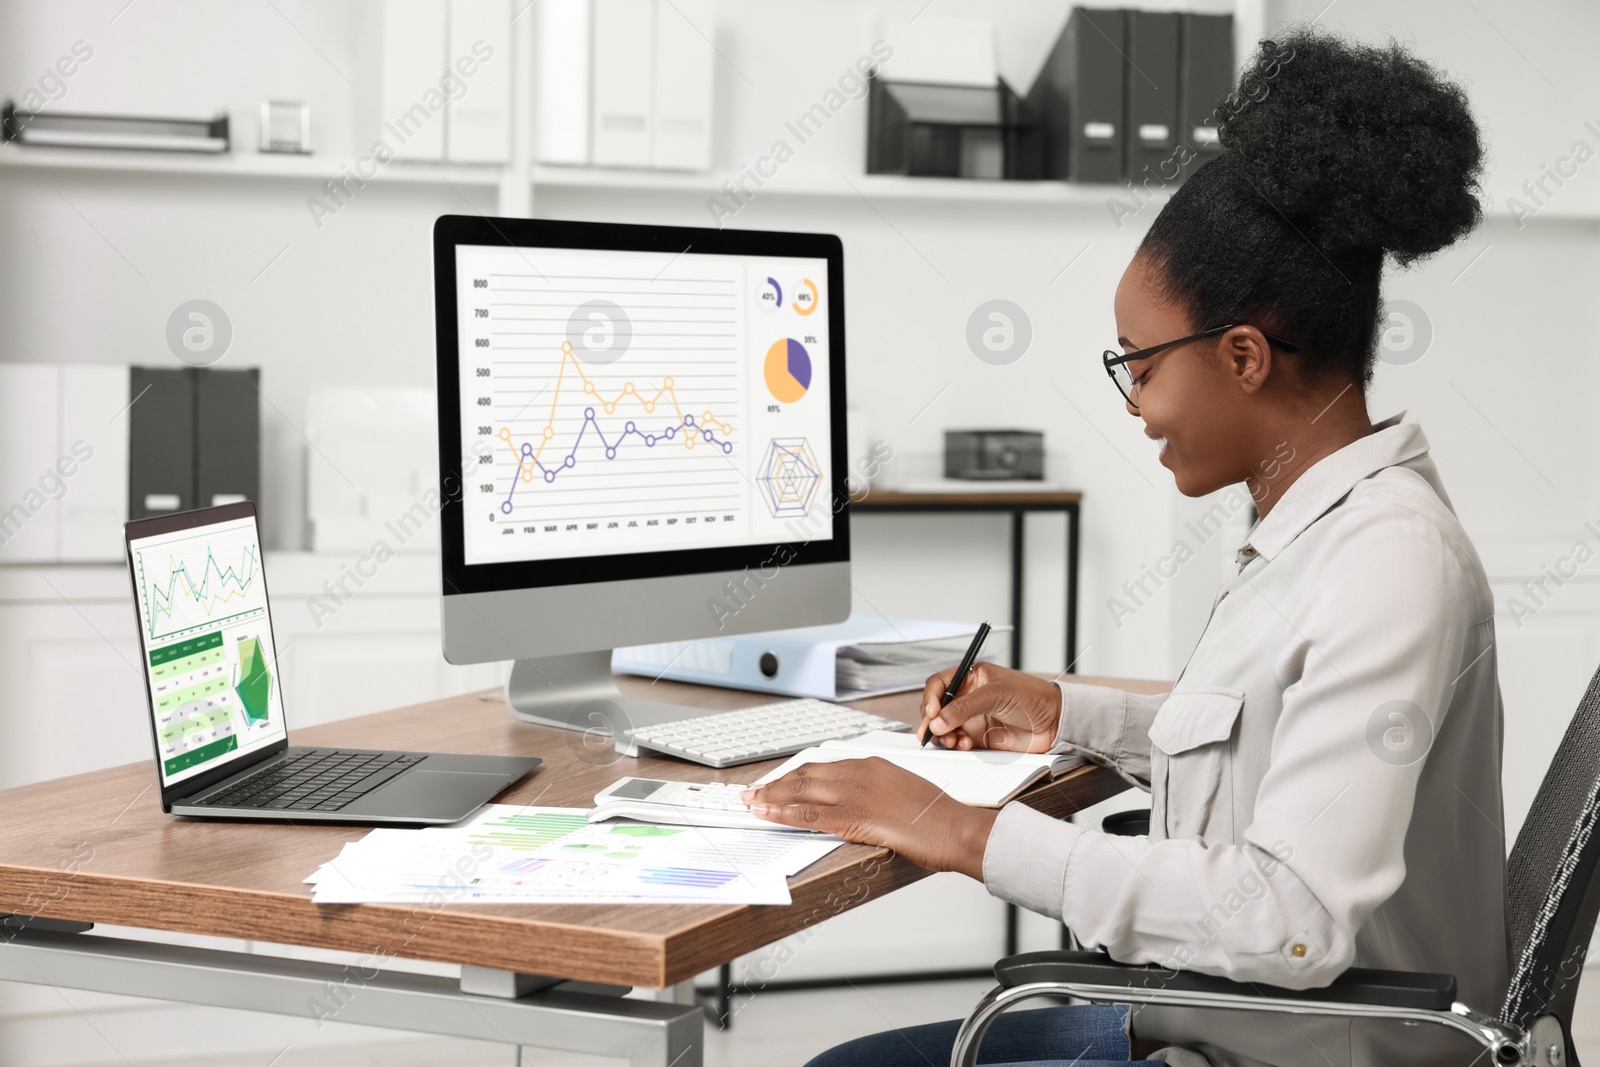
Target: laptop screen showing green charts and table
207,645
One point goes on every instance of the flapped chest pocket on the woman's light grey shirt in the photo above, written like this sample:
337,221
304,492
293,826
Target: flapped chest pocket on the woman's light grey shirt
1193,765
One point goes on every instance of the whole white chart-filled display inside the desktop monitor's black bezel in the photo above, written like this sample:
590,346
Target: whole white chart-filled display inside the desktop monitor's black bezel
623,402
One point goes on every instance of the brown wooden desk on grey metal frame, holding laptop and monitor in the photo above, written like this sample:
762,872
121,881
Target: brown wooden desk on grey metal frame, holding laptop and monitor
97,849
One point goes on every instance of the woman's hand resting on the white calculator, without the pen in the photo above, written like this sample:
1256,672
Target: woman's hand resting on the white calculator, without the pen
874,802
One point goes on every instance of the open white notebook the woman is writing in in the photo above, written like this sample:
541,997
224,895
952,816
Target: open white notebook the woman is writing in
982,778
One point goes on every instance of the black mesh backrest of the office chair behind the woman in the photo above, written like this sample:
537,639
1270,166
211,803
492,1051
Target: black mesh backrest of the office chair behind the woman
1553,892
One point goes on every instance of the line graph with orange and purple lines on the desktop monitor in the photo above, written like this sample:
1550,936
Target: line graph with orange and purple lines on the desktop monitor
636,447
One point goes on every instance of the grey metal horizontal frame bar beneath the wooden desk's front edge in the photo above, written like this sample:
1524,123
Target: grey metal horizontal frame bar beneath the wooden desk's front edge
569,1017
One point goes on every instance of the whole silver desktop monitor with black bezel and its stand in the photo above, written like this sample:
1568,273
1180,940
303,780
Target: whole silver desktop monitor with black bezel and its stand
642,439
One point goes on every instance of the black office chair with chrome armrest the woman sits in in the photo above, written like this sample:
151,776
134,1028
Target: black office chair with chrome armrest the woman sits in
1553,898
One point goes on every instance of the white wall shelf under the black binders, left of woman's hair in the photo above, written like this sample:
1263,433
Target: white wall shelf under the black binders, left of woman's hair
870,186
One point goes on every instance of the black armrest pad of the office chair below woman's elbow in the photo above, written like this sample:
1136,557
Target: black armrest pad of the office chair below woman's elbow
1358,986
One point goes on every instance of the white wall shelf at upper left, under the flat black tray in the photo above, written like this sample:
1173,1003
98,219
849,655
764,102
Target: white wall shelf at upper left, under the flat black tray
241,166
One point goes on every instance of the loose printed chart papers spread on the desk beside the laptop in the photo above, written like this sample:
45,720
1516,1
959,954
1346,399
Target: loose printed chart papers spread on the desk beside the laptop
522,855
